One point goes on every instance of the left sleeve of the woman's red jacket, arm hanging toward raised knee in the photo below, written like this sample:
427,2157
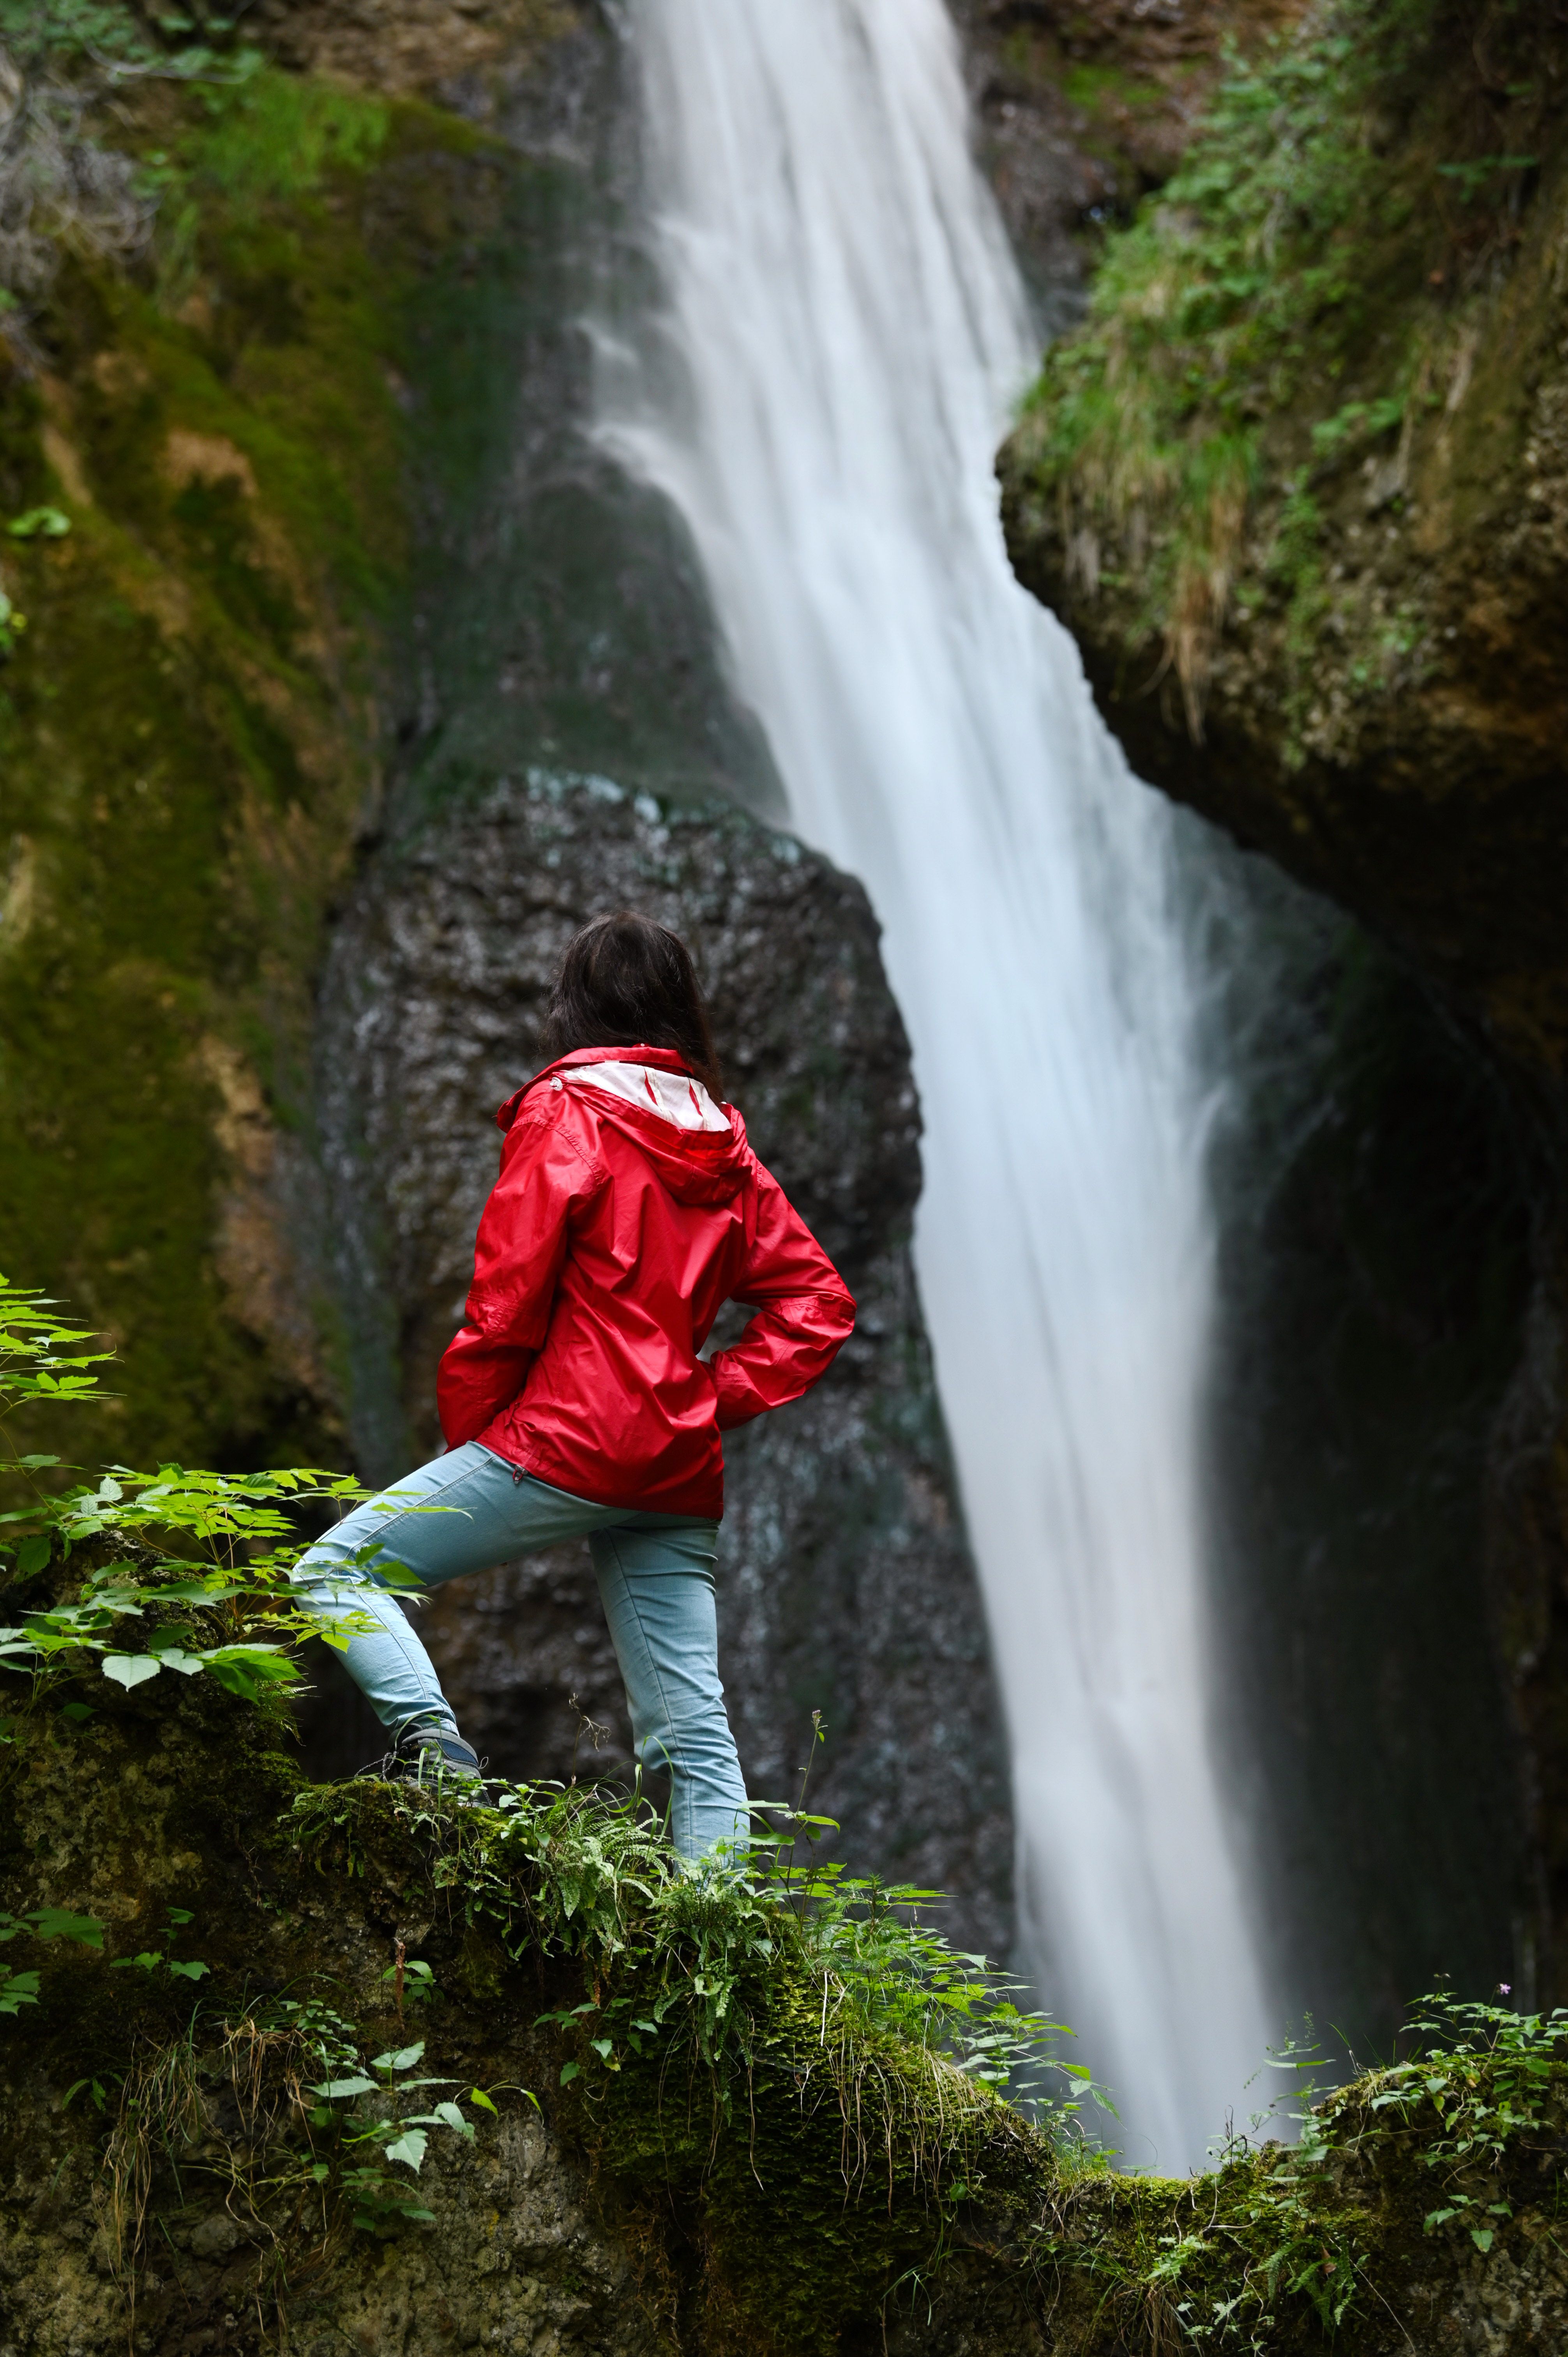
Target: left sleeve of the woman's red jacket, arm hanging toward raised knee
518,1265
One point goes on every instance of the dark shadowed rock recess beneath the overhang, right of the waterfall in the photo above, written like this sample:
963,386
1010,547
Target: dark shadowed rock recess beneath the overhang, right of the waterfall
1373,1279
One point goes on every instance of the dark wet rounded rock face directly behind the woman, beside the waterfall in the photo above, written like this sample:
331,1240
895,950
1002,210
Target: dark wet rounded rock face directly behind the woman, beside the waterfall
845,1583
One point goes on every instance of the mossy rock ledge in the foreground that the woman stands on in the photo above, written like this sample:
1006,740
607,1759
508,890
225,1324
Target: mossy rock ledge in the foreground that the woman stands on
838,2191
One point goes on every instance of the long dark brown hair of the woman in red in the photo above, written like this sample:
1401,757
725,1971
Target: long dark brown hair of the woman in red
626,982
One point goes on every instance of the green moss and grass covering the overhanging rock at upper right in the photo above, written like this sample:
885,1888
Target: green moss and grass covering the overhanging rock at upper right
1270,319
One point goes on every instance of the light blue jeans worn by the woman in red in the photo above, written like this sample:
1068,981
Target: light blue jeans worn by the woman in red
657,1578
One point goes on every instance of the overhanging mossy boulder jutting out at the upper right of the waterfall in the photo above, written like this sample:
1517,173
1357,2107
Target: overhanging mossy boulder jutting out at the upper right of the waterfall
1300,487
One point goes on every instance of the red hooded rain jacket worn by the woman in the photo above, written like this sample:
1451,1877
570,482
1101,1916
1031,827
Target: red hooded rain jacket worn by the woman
602,1260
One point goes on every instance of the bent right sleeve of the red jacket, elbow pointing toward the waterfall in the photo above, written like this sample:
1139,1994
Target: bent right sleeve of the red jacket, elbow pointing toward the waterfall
805,1314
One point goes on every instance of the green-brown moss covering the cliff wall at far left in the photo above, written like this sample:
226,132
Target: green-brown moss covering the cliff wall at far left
190,729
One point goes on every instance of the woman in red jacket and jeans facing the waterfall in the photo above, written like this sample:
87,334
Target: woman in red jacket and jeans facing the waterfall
574,1401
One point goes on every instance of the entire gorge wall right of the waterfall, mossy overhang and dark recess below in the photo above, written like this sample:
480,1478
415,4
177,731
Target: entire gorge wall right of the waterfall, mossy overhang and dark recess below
1293,489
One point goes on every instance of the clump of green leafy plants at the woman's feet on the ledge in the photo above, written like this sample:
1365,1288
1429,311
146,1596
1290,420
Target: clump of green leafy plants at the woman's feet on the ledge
687,1967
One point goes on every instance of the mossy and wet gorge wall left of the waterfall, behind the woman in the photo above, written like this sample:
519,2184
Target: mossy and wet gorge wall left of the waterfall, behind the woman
343,576
